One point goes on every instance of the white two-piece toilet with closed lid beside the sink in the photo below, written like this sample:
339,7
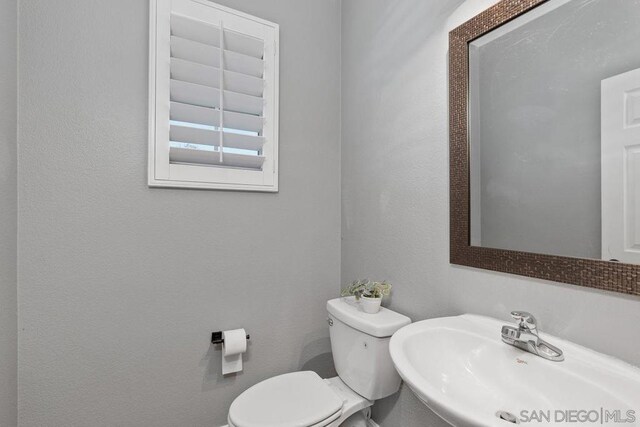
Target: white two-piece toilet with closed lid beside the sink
360,346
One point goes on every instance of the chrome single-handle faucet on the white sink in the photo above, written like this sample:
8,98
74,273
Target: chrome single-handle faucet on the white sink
525,337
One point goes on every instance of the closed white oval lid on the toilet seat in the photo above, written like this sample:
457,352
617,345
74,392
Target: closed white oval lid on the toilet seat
299,399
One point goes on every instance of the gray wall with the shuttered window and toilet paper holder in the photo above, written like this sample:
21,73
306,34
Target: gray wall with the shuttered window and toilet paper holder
121,285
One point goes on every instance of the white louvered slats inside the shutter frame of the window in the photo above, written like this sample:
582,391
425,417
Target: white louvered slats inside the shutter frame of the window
216,96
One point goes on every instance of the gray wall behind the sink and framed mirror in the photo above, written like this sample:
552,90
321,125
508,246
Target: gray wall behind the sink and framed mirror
395,191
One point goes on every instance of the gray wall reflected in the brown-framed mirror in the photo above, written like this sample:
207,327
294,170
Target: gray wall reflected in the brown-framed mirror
537,98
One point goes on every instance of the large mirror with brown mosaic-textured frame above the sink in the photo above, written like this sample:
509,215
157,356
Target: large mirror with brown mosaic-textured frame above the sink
545,140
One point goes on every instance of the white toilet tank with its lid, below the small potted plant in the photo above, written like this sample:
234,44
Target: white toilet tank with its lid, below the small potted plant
360,346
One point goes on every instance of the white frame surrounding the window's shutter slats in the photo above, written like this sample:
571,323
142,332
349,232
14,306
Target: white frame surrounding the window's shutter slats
162,173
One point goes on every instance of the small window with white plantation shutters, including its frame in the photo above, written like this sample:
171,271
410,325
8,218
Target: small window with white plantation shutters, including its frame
213,108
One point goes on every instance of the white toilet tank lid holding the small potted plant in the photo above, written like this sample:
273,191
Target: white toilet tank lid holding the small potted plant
382,324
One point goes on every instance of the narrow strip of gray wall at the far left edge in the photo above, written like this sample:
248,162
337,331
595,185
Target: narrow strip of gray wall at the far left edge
8,208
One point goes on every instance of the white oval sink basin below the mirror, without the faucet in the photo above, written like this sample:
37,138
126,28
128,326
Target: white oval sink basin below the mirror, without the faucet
460,368
